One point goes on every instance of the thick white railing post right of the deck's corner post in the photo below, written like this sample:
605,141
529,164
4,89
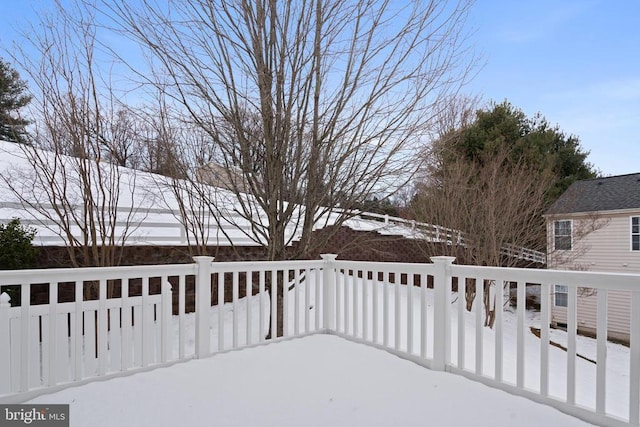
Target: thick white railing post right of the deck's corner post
441,318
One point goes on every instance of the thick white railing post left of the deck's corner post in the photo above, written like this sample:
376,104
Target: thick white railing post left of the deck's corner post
203,305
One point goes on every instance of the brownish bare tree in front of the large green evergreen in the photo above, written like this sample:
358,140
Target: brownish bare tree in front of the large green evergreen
496,204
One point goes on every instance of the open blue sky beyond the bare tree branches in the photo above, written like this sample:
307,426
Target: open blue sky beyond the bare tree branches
577,62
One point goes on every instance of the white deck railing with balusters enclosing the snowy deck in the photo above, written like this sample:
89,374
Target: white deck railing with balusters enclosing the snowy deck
407,309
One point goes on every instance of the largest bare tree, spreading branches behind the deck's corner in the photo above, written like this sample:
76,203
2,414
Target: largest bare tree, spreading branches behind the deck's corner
319,104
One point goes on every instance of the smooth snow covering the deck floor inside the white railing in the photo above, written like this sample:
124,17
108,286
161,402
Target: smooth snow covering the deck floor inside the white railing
319,380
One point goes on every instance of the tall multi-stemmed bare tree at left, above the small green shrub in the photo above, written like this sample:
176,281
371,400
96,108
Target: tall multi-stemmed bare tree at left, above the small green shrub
71,186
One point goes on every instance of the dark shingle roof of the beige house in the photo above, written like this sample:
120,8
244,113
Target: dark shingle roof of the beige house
600,194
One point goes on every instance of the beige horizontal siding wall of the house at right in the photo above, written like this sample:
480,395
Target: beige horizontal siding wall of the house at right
608,249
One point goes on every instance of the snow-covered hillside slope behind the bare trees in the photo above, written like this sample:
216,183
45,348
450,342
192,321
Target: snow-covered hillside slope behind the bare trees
148,211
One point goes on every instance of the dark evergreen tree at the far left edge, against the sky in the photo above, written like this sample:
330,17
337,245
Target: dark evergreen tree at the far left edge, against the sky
12,98
